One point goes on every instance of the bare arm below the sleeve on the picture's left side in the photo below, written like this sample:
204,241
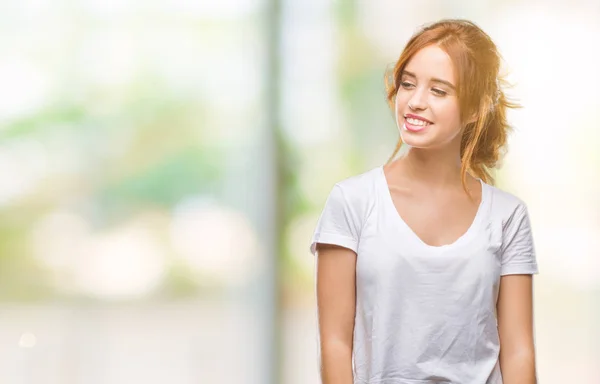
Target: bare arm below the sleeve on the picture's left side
336,304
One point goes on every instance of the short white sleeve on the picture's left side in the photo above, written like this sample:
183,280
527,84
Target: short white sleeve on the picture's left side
339,223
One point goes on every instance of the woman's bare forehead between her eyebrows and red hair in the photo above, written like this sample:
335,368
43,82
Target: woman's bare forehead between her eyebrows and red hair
432,62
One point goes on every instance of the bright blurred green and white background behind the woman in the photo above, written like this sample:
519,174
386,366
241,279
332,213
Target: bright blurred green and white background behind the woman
163,165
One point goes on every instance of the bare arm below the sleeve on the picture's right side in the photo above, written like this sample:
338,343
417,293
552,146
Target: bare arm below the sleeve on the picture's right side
515,327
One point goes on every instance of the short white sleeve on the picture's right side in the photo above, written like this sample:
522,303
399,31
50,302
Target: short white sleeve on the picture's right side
518,250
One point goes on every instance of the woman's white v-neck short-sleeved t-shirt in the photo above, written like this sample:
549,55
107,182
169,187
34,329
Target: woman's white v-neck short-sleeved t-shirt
425,314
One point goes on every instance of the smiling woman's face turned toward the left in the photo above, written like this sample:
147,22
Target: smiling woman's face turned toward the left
427,108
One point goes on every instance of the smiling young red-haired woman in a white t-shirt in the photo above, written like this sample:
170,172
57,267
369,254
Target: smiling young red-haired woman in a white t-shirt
424,268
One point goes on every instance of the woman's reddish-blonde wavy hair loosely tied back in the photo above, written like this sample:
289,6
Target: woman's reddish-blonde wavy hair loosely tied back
480,90
